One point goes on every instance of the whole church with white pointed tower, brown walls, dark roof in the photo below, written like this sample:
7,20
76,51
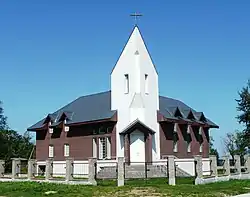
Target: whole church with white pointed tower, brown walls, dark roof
130,120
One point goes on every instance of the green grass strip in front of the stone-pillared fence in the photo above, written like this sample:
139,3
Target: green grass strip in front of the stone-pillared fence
152,188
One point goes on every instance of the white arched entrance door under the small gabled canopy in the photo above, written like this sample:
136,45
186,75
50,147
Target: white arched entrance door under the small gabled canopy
137,147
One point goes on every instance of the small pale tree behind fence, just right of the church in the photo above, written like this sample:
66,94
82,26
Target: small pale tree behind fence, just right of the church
235,144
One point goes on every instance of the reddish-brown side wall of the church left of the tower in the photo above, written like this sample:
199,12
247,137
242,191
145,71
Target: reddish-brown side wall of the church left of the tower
79,139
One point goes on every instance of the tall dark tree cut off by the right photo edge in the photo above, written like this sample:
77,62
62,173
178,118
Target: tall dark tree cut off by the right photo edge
244,109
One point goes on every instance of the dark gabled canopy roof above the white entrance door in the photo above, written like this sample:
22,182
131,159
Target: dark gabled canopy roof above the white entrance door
137,124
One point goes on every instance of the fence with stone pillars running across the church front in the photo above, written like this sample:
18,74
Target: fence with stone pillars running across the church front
89,172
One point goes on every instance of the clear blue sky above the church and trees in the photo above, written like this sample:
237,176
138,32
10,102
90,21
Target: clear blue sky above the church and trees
52,52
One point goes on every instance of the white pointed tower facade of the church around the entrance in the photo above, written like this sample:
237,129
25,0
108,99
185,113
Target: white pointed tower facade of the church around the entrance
134,91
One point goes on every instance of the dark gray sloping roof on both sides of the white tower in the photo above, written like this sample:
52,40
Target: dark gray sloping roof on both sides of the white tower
98,106
